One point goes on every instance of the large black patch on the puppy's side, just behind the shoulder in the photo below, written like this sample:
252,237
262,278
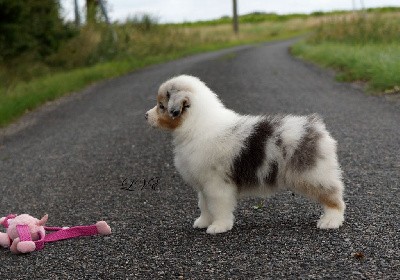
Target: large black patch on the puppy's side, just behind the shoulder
252,155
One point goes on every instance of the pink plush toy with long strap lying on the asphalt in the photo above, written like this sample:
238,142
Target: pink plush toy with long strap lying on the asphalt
26,233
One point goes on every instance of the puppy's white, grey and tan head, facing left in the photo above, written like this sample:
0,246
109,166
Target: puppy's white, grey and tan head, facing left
173,103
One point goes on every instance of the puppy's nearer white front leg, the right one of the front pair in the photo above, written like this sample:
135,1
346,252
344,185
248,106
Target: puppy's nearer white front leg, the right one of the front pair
221,202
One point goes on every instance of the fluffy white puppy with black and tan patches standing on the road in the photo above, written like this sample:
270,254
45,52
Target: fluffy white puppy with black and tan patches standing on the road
225,156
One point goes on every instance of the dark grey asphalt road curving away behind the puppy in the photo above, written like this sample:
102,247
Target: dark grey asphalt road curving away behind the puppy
70,159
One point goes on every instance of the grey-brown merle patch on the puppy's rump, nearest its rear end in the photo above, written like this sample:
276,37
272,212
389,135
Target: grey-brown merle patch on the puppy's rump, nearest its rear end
306,153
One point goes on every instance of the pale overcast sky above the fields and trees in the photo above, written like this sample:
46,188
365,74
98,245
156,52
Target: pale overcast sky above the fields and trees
193,10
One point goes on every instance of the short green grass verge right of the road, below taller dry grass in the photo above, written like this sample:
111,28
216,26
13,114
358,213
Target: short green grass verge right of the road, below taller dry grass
377,64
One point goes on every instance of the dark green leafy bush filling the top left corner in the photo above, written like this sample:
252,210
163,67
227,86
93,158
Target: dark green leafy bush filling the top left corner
30,31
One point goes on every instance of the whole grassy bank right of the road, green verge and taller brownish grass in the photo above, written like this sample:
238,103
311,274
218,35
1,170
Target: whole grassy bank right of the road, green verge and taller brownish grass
363,46
